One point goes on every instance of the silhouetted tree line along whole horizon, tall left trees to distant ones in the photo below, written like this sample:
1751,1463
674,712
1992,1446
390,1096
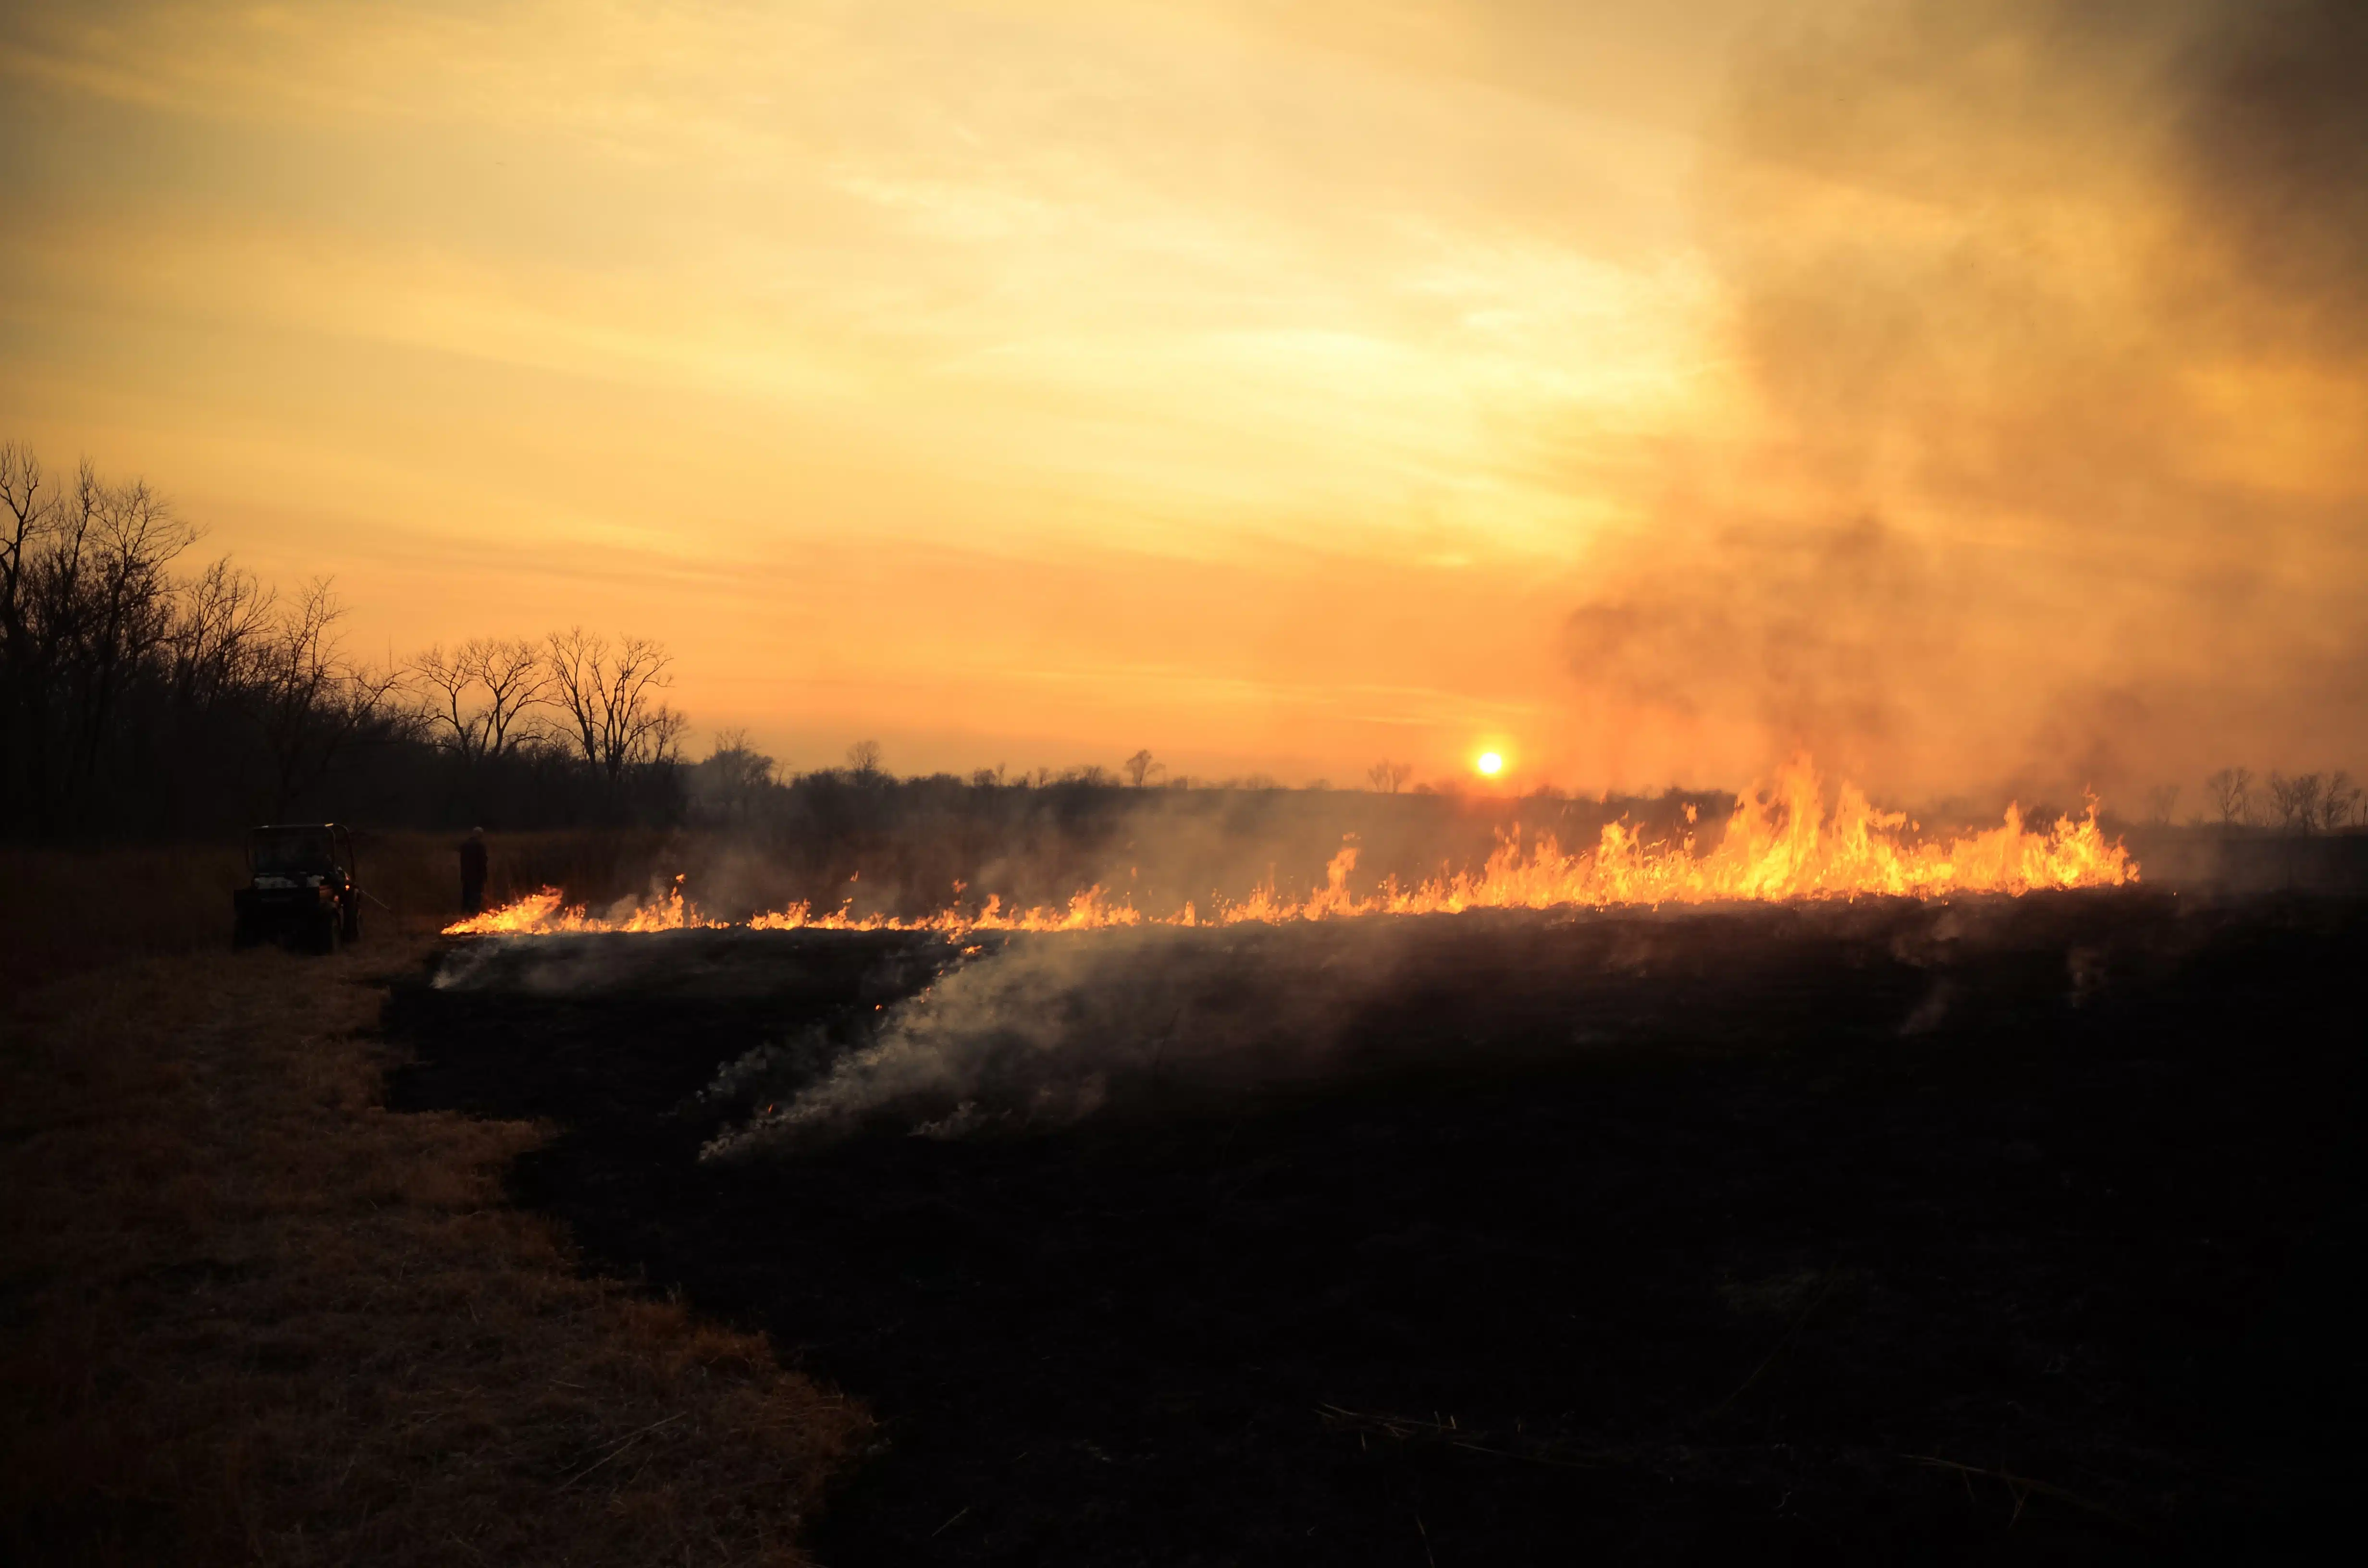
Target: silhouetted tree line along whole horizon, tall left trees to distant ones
141,698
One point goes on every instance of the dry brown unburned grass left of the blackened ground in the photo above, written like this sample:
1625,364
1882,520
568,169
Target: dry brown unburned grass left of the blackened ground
252,1316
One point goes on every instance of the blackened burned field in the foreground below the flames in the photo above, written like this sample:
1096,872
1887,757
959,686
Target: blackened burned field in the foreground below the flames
1964,1228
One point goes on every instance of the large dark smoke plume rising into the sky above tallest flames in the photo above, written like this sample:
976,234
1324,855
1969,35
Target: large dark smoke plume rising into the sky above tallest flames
2054,330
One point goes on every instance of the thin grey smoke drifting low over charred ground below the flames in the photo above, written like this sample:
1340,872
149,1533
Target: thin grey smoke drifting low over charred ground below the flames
1034,1034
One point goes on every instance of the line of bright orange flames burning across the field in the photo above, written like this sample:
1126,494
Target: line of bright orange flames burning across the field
1780,844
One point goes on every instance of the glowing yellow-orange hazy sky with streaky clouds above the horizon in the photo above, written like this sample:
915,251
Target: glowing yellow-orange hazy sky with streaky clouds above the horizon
1270,385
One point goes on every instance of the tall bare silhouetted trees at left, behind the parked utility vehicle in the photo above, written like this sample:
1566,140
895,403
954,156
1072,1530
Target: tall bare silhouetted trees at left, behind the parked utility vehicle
141,700
